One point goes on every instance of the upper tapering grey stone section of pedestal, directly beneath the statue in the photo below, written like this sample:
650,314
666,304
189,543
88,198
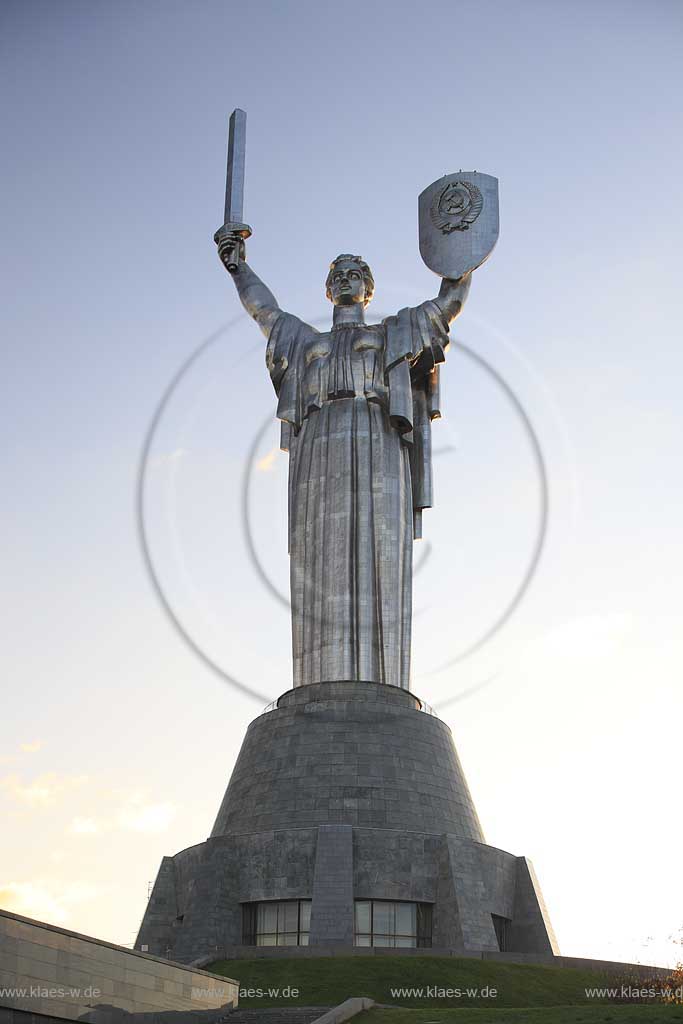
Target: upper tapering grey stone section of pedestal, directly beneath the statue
359,754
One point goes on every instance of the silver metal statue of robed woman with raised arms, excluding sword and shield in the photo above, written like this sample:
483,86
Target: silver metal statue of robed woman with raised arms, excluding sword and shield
356,405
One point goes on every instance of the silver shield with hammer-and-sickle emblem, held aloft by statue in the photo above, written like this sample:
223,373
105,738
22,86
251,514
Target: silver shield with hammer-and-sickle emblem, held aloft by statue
459,224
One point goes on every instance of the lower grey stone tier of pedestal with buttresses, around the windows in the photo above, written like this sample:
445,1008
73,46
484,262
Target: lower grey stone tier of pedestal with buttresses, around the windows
465,882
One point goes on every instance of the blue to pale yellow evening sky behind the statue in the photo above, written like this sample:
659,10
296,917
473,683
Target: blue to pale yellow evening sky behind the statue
117,741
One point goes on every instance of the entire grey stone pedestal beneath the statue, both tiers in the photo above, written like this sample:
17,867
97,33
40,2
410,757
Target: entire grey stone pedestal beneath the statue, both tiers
347,793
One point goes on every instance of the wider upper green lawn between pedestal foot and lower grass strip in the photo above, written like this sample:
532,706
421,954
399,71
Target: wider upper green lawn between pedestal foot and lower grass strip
328,982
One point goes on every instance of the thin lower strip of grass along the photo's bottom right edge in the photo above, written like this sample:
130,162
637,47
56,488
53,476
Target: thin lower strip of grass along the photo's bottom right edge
539,1015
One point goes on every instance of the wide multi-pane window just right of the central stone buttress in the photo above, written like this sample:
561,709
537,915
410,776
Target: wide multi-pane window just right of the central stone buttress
393,924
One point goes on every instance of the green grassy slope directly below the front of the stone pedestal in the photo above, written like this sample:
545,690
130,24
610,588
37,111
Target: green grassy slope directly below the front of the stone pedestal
330,982
